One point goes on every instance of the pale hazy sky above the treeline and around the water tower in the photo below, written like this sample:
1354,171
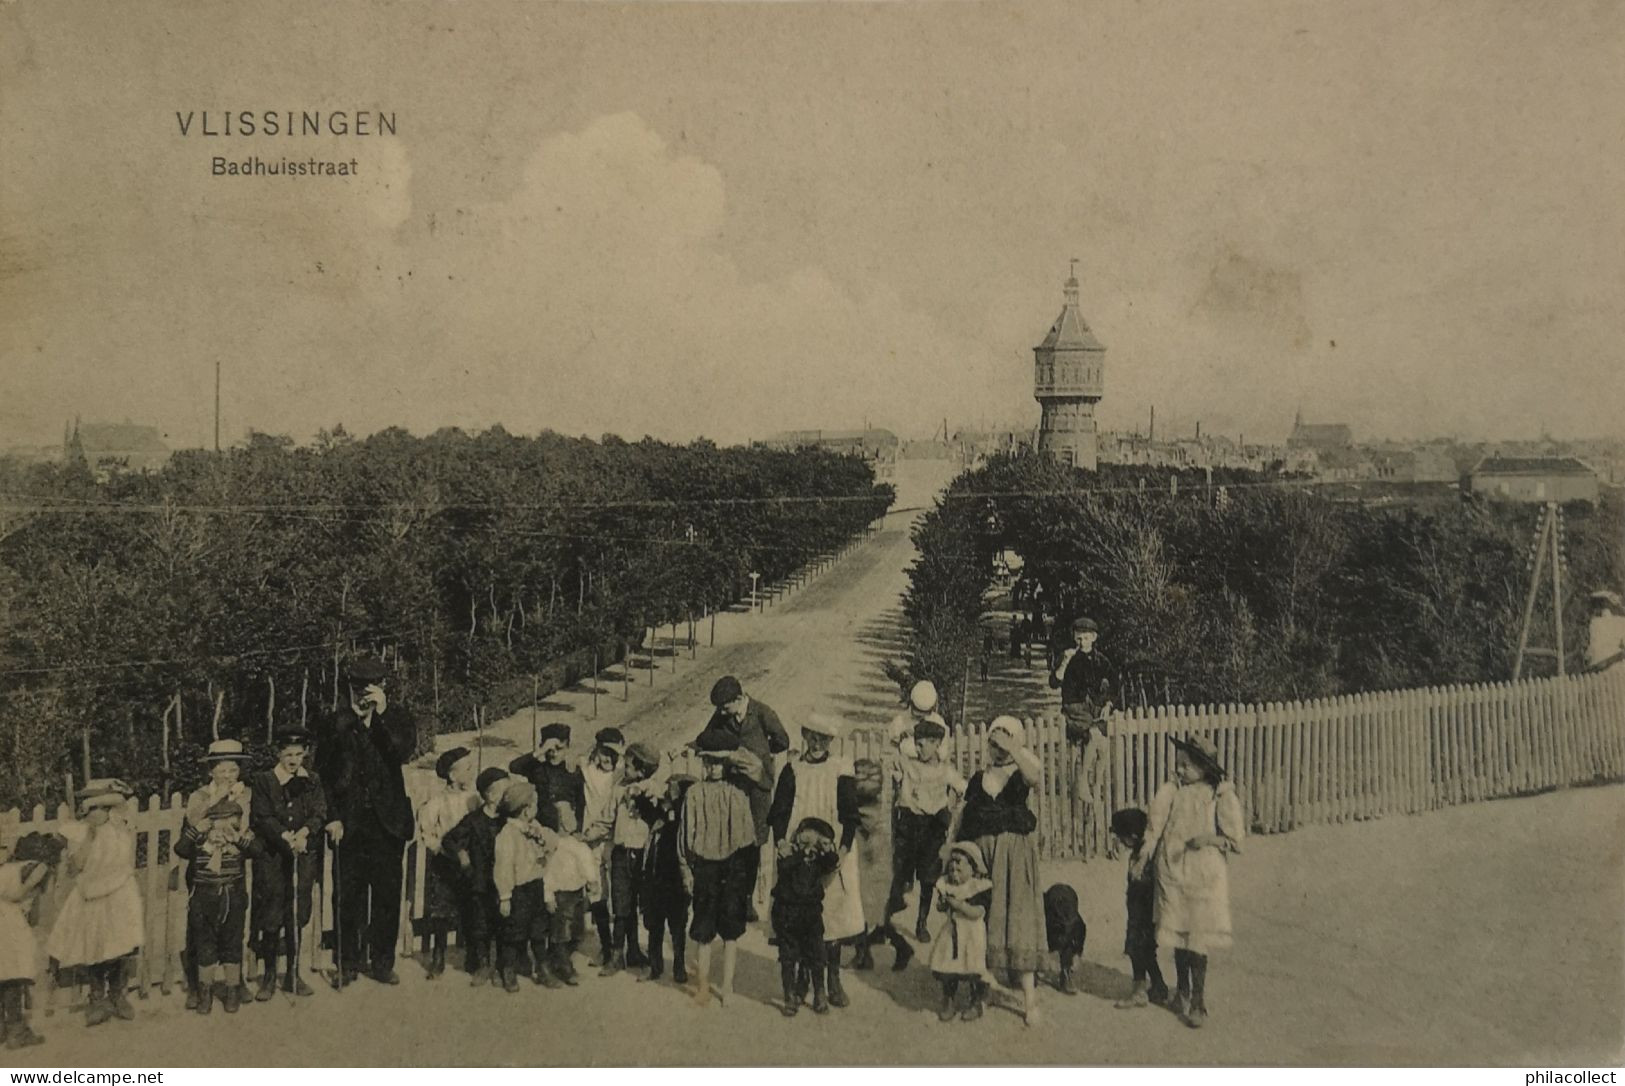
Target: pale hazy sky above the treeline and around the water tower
726,220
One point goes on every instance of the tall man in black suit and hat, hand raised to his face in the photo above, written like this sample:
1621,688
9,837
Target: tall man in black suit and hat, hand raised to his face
360,760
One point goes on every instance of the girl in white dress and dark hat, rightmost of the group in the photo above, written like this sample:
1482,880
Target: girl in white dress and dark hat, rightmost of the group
1195,825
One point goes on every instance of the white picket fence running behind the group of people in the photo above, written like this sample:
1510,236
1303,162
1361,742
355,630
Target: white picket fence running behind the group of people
1294,763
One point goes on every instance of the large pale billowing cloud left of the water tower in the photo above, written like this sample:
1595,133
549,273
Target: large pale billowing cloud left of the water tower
600,297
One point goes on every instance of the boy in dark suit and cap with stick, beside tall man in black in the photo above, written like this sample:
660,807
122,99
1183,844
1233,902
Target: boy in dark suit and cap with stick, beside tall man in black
287,814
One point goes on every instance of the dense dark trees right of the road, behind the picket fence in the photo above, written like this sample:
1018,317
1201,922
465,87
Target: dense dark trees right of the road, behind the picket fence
1249,588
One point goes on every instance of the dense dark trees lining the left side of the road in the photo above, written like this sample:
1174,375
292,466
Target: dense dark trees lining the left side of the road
144,612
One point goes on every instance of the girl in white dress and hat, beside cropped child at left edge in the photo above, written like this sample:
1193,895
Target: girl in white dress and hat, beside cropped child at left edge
102,921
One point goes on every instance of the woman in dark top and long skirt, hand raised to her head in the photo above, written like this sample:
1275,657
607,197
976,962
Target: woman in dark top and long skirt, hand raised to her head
999,820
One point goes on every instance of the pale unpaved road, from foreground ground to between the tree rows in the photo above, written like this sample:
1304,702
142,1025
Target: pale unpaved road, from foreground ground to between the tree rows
1486,934
